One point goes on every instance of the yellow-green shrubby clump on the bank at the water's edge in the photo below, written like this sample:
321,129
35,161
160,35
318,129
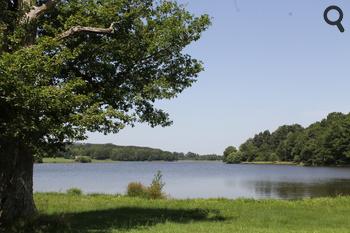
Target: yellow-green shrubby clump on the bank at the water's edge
153,191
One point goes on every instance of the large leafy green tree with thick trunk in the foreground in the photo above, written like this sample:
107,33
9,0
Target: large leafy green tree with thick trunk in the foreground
68,67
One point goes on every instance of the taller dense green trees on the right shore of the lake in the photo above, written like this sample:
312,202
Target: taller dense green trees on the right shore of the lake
323,143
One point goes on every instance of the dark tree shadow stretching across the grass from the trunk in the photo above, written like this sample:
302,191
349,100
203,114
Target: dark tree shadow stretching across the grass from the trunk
121,219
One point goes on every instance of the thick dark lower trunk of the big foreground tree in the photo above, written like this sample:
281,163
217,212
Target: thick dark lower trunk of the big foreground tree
16,182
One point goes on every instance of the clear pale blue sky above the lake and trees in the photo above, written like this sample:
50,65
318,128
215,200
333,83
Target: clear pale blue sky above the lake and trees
267,63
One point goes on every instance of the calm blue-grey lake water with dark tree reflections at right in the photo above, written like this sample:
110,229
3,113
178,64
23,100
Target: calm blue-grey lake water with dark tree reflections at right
197,179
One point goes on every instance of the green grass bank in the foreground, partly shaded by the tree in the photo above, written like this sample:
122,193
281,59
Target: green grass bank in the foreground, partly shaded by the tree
108,214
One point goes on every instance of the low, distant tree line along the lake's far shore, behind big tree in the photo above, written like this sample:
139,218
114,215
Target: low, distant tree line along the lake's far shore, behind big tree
128,153
